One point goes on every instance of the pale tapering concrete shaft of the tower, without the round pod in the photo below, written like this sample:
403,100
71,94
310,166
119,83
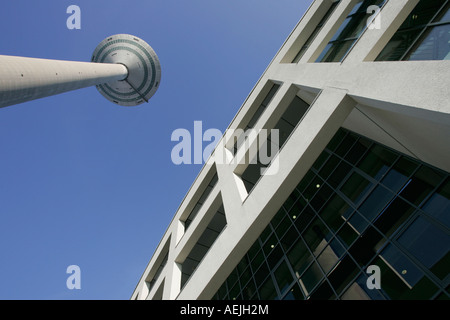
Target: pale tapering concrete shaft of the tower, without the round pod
24,79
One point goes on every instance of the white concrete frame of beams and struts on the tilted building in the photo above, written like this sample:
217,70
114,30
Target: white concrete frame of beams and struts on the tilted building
404,105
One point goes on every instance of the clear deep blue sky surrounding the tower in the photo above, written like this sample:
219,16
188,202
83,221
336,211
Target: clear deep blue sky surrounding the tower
85,182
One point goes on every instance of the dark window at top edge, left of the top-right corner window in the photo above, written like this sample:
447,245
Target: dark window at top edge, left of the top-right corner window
349,32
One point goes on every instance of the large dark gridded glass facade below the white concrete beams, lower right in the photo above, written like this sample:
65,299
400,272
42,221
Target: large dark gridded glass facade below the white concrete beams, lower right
361,204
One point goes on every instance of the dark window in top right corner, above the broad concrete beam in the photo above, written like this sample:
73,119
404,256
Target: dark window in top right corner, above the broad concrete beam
425,34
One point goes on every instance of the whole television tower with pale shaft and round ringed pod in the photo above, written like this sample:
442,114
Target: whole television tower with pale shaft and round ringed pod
124,68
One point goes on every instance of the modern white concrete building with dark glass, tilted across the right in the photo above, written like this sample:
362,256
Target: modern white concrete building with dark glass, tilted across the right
360,185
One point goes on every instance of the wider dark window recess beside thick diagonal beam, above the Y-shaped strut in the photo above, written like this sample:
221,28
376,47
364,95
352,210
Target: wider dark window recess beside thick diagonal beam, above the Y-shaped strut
287,123
